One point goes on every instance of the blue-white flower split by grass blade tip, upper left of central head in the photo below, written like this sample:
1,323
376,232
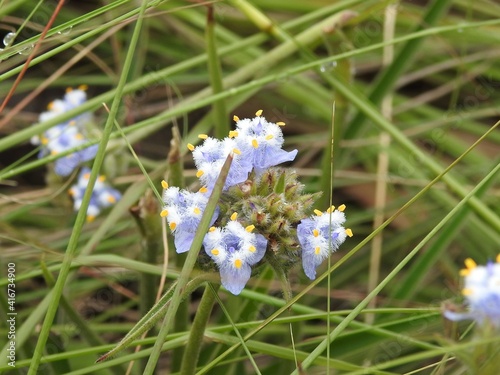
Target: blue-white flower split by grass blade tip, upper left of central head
210,157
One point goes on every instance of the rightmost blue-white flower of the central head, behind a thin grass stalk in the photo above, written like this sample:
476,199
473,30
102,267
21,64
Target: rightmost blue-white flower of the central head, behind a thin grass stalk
321,235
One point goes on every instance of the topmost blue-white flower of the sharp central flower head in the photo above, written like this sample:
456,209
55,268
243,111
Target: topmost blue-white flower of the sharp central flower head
264,140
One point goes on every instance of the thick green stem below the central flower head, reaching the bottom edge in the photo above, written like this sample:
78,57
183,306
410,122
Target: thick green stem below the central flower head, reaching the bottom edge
193,347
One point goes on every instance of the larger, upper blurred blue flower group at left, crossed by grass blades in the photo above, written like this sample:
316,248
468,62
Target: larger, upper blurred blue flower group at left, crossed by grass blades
68,135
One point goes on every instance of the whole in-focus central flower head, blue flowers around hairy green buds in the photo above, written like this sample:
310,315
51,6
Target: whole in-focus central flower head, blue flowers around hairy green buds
263,213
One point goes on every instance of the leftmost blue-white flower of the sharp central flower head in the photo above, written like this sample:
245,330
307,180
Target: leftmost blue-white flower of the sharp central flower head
183,210
